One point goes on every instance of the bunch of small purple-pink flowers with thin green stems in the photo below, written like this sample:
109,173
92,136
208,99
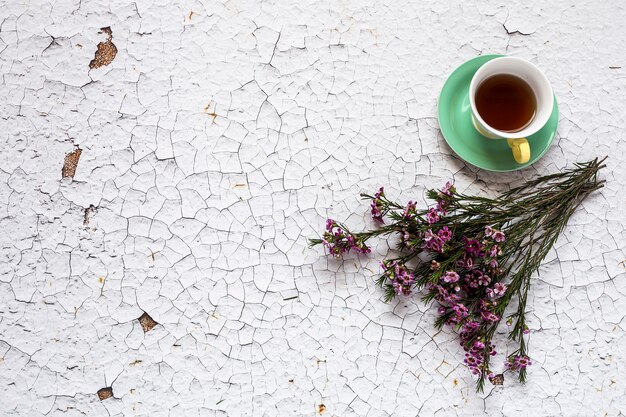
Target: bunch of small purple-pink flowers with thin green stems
473,255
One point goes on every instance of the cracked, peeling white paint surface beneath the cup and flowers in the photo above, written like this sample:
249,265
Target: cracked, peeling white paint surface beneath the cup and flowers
216,142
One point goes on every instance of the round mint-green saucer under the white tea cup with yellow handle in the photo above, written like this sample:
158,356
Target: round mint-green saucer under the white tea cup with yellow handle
455,122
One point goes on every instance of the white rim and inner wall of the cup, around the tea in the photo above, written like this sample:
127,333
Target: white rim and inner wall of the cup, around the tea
536,124
